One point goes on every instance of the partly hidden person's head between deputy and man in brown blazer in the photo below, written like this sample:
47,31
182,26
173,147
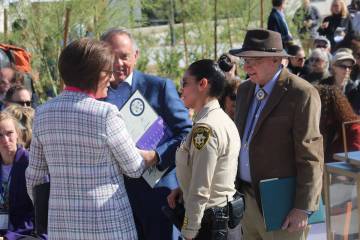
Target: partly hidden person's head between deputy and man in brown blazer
228,98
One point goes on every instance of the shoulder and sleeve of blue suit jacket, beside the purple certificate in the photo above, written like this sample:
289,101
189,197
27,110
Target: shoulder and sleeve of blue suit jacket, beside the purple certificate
163,97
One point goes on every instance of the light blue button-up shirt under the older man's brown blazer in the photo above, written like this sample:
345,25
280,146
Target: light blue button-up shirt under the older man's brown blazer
244,167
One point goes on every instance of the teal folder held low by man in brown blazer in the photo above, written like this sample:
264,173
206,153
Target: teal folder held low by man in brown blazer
277,199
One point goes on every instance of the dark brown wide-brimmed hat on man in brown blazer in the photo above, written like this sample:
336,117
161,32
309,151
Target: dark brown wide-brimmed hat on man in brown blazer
261,43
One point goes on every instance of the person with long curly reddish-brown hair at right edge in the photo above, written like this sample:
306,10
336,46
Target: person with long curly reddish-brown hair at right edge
335,110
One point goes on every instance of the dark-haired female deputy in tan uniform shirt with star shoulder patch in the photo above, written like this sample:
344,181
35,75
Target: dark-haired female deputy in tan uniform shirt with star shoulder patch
206,162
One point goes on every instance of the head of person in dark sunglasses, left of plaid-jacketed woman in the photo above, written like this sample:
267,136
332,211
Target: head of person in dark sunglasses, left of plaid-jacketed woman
18,94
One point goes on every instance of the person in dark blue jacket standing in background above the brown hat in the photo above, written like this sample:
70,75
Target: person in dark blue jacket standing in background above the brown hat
277,21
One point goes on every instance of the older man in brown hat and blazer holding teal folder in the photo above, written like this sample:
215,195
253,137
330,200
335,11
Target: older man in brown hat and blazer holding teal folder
277,115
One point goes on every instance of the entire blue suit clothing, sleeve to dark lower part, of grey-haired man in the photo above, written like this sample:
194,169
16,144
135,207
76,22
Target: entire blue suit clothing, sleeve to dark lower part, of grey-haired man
161,94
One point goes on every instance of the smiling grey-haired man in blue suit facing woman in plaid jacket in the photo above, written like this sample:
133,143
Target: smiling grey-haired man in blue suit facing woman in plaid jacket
161,93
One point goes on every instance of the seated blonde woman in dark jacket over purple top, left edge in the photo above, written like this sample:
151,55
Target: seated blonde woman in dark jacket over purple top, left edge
15,203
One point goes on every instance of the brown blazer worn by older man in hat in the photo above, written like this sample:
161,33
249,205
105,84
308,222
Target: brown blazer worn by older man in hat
286,140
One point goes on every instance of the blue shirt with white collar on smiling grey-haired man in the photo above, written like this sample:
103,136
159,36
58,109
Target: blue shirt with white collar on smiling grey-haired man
121,93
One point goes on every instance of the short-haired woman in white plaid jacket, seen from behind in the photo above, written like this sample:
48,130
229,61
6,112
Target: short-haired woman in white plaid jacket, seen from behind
84,146
